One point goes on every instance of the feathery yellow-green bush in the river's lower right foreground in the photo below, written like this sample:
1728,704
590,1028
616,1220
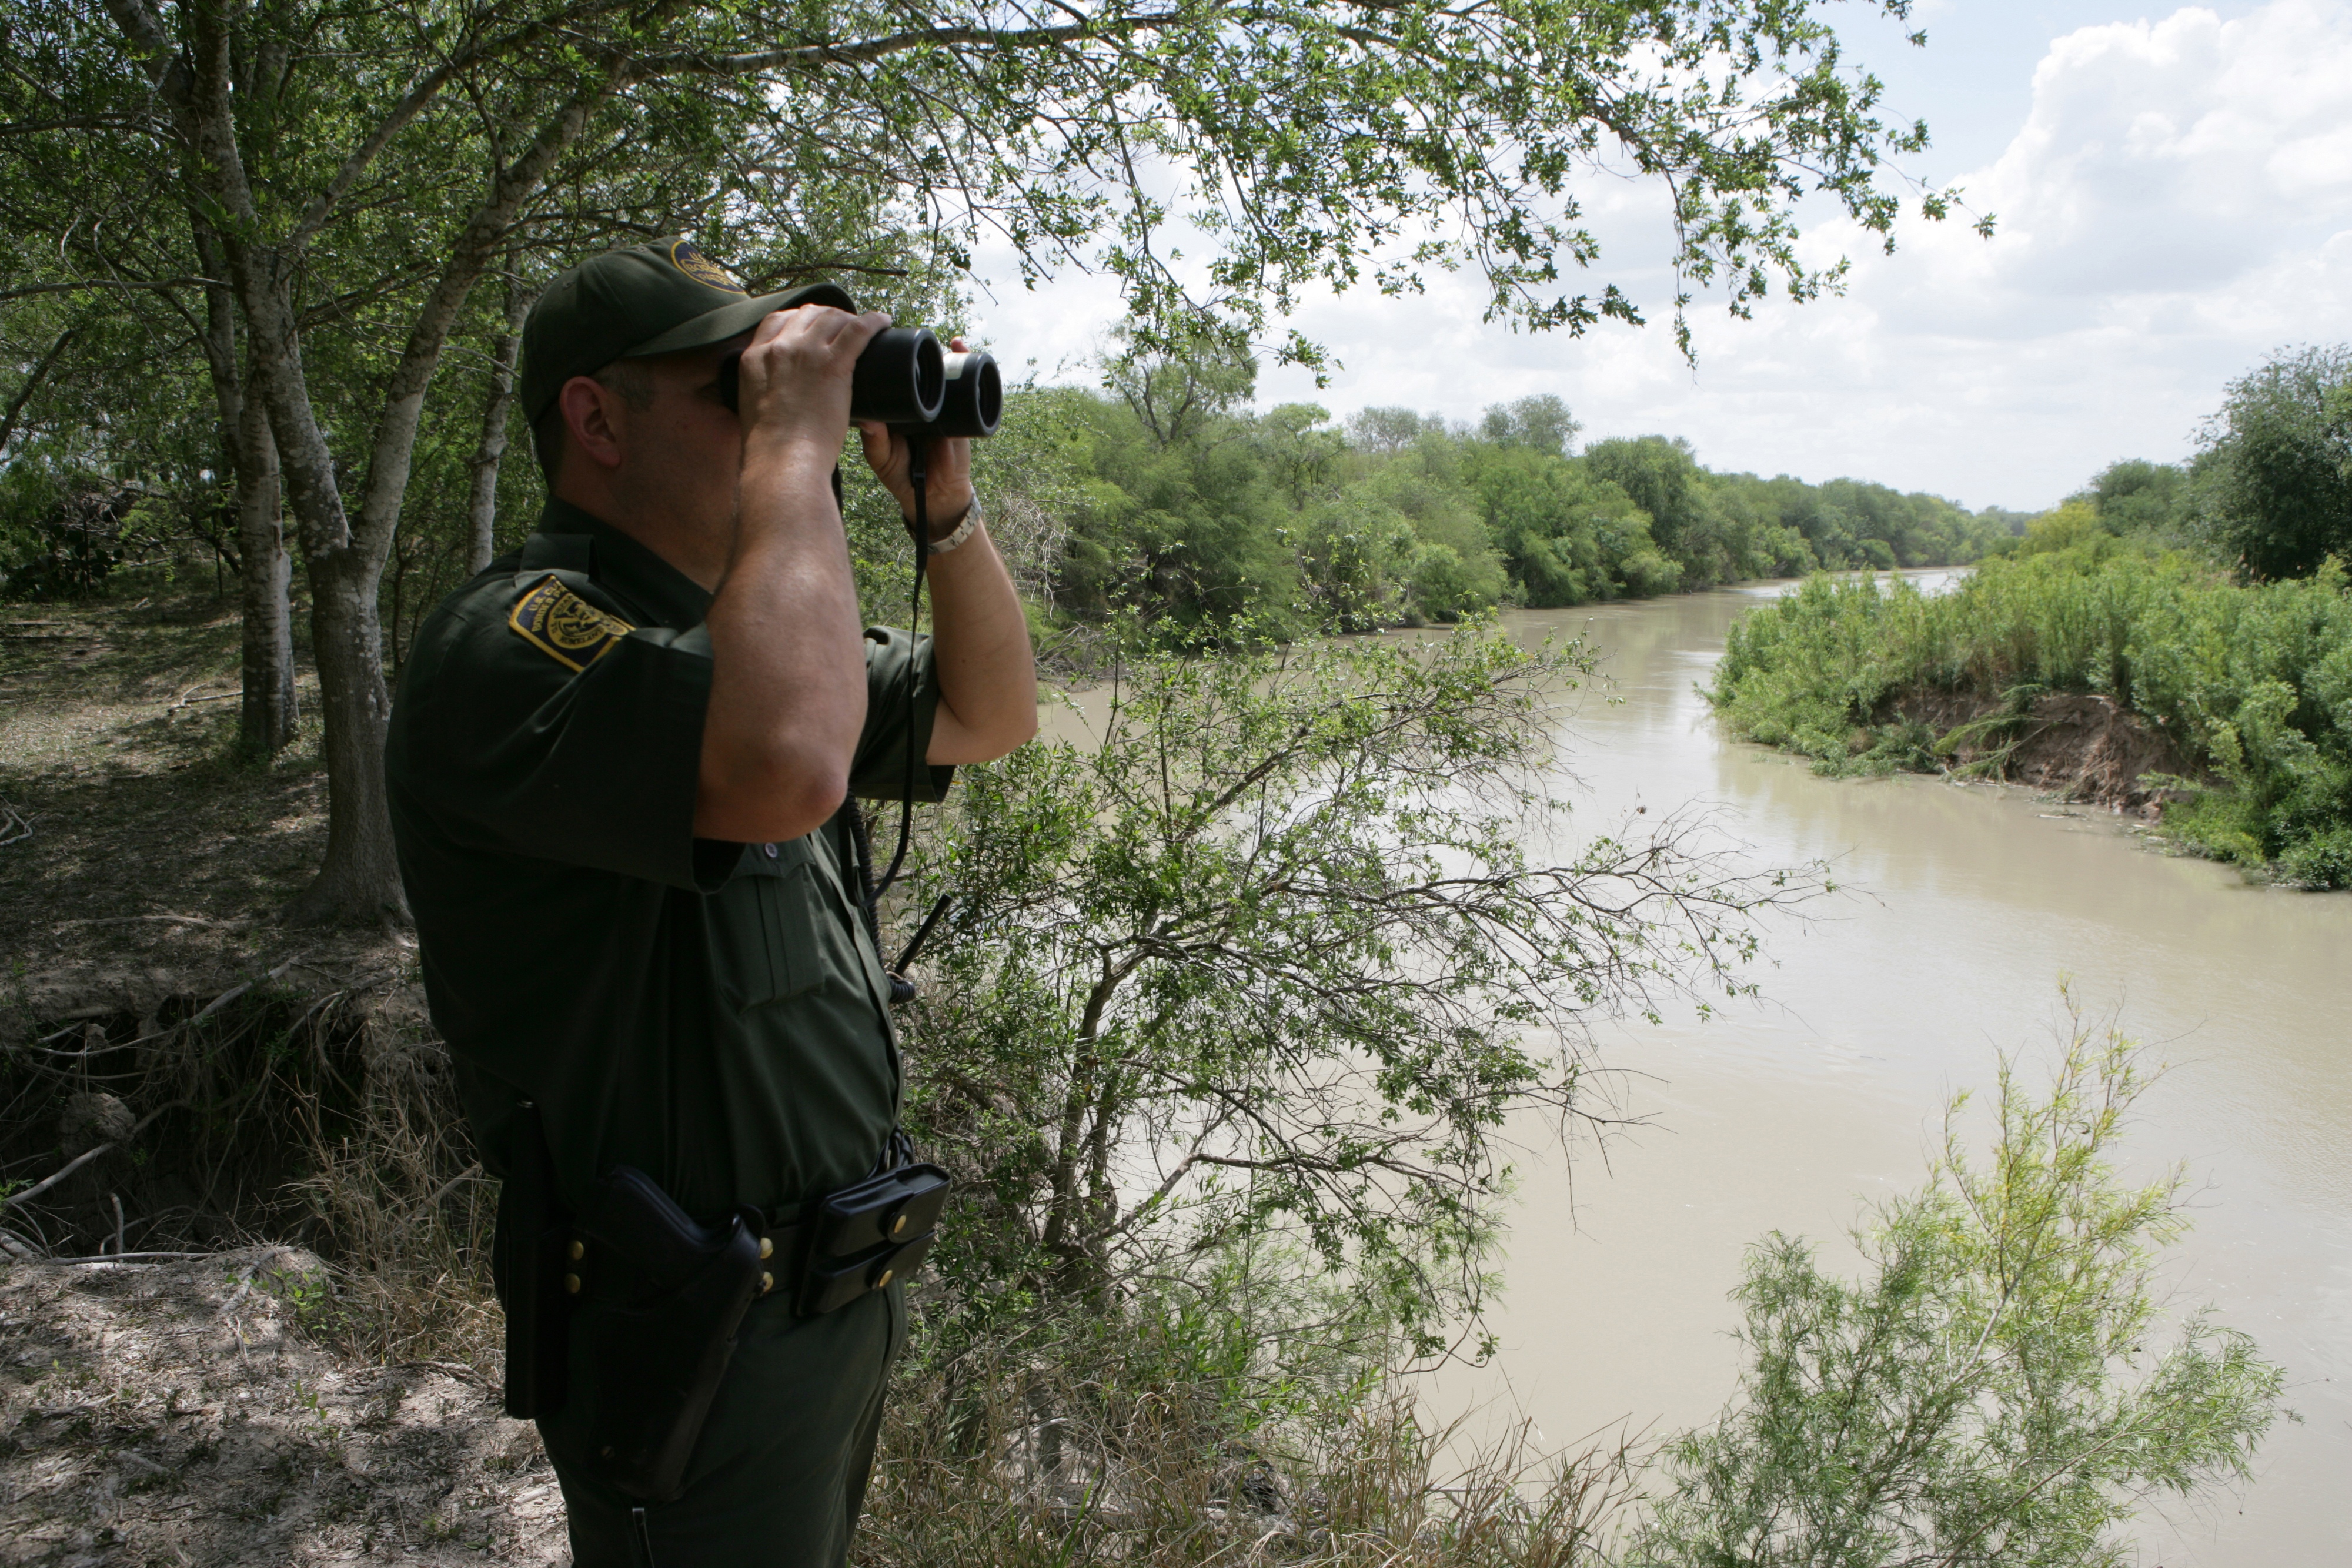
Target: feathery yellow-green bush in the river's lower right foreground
1991,1393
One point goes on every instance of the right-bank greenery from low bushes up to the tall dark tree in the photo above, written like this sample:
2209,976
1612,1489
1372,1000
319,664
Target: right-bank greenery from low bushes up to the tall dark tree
2210,598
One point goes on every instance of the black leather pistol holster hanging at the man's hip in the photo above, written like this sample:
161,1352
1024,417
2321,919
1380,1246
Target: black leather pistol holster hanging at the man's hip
657,1327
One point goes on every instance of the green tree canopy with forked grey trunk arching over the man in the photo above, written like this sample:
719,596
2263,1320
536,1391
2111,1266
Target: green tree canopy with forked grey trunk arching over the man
300,203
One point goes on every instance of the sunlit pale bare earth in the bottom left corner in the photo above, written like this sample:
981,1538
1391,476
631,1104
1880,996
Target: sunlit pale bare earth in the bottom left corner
171,1414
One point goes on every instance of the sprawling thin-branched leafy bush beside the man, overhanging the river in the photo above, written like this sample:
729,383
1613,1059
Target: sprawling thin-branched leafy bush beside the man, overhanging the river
1278,953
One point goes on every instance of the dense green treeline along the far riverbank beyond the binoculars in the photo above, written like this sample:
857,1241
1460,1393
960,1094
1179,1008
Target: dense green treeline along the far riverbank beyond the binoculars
1189,511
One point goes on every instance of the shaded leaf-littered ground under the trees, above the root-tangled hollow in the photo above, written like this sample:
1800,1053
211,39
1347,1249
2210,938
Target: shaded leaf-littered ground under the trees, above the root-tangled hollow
138,855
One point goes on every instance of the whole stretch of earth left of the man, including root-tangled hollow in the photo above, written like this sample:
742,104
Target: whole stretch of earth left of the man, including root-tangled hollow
178,1057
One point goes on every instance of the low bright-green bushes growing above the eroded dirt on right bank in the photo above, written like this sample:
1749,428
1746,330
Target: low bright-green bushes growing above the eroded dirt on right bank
2252,683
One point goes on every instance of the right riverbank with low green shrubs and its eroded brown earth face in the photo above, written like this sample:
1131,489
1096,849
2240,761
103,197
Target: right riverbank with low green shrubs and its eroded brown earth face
2134,681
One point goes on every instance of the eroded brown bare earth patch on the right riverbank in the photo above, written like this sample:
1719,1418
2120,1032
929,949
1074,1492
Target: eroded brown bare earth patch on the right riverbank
2078,746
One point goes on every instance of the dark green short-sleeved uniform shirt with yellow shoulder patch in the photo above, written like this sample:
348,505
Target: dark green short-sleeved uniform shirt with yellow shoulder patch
711,1014
